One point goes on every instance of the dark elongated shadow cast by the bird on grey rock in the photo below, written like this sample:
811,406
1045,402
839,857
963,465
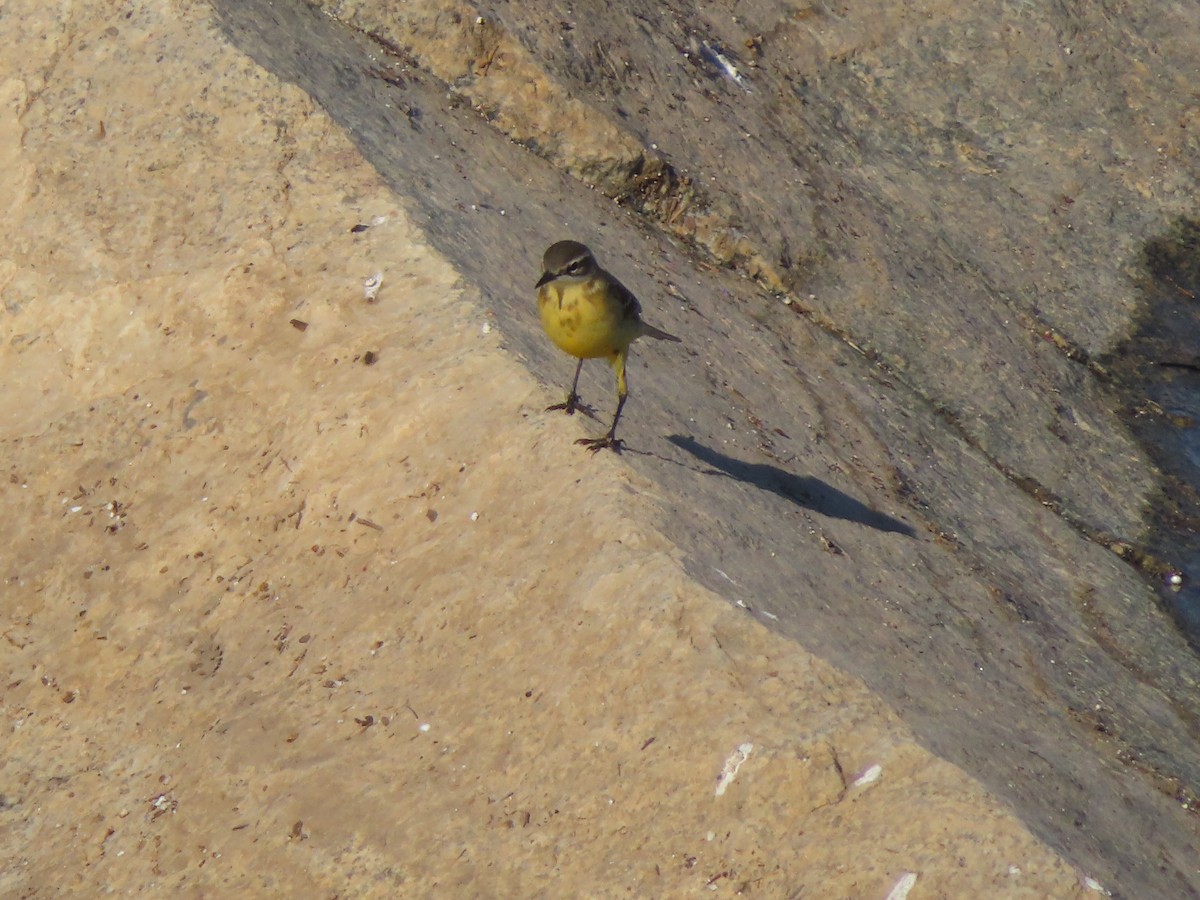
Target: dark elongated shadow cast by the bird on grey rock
805,491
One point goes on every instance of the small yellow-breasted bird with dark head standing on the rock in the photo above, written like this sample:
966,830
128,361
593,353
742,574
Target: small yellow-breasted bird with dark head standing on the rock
590,315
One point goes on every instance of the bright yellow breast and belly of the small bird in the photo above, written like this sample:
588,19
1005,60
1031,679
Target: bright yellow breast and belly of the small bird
585,320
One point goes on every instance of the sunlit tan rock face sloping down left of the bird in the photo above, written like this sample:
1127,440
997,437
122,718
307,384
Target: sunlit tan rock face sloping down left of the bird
287,623
